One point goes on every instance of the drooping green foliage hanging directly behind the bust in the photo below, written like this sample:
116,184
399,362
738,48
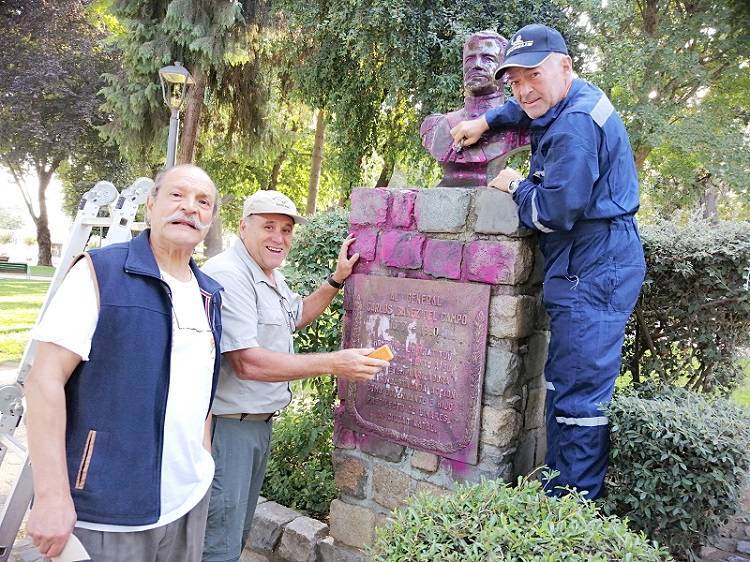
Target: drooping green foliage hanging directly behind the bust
379,67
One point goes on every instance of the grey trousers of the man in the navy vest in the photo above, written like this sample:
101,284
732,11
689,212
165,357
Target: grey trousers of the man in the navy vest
180,540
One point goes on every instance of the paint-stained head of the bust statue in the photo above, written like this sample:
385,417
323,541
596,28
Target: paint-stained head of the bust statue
483,55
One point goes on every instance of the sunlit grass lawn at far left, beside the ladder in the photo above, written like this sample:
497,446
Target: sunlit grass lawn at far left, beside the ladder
19,305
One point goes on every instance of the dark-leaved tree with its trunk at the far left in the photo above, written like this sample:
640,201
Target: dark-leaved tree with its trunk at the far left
51,59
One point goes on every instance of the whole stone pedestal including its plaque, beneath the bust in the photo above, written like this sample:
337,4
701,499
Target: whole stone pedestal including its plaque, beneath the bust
450,280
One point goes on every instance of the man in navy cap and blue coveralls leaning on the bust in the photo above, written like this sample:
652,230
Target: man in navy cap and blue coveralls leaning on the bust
581,196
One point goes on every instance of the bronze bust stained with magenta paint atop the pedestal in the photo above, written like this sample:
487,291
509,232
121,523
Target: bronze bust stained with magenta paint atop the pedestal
477,164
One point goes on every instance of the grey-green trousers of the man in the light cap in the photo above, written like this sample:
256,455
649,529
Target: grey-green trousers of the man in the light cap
240,450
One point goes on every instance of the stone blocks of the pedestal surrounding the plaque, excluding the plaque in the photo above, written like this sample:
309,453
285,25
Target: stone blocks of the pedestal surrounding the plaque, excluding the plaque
466,235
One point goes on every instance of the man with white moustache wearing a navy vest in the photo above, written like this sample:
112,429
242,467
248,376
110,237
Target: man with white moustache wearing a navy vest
121,387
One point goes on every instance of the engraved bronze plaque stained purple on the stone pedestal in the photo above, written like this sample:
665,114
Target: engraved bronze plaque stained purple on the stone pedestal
430,396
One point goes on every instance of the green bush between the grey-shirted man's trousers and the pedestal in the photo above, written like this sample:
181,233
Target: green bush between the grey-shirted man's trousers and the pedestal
300,467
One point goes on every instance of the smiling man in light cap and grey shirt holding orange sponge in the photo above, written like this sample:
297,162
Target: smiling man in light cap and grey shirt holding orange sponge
259,315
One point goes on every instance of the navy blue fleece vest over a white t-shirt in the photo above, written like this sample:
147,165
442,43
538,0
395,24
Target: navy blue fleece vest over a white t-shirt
116,401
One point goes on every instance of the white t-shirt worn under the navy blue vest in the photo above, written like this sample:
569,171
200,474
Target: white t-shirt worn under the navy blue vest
187,467
